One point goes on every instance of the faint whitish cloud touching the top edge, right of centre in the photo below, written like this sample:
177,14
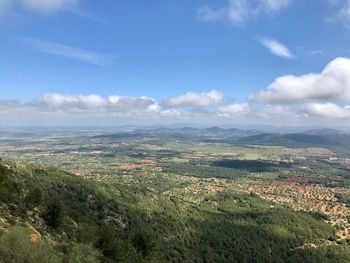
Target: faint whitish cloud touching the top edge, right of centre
240,11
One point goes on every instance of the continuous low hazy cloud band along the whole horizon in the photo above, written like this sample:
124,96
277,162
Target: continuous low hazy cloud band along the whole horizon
91,109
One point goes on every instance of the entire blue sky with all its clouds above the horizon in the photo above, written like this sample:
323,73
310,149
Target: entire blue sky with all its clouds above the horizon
128,62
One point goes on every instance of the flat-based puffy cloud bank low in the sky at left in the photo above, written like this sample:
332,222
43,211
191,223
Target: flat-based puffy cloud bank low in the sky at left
84,107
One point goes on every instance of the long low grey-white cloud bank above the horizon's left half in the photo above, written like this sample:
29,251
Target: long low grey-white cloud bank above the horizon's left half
91,109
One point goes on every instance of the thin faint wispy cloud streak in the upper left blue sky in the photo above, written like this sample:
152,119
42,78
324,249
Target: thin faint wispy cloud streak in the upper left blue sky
88,56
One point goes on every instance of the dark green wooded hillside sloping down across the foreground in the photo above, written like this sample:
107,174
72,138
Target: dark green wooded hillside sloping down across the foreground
86,221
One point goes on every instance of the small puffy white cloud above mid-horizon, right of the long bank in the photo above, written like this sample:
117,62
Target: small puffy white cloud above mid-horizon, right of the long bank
195,99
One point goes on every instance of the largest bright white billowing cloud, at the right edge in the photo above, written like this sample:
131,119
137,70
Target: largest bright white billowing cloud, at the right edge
333,83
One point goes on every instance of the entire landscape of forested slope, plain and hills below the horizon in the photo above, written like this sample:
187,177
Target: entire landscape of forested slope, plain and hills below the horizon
178,195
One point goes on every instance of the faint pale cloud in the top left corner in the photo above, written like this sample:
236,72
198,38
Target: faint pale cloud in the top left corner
45,7
